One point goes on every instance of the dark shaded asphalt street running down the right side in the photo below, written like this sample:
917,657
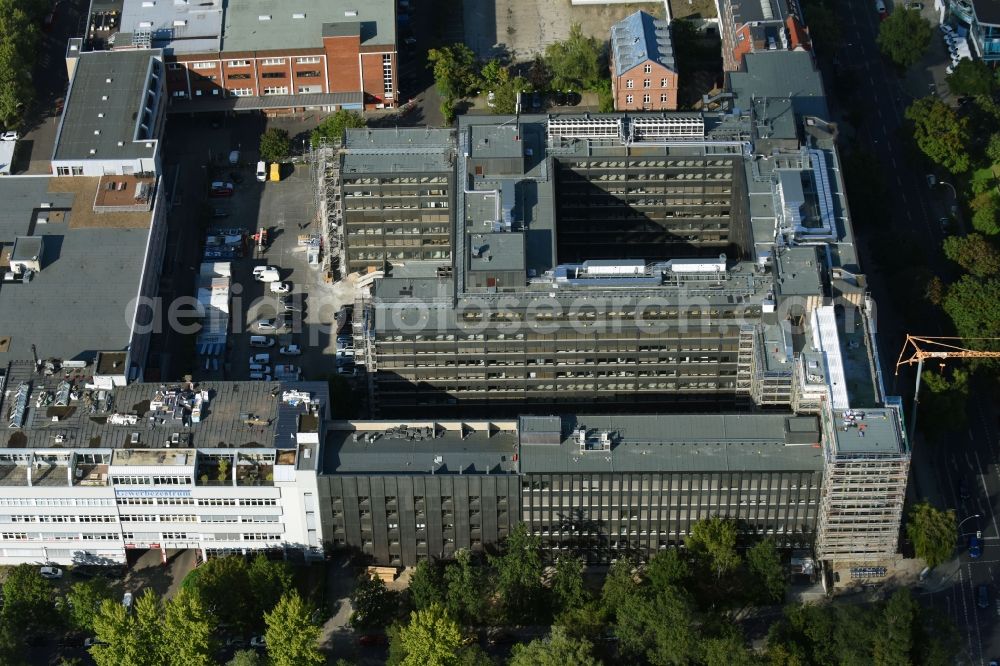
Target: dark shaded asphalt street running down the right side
970,455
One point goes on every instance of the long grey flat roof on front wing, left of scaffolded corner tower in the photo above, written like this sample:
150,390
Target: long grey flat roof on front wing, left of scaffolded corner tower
676,443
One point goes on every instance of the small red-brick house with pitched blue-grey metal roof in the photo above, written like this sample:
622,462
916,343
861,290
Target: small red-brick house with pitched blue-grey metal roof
643,68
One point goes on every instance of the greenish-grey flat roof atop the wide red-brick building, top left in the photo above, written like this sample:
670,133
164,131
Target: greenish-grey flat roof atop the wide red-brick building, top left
302,23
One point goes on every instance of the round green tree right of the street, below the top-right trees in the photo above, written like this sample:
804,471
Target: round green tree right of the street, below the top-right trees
940,133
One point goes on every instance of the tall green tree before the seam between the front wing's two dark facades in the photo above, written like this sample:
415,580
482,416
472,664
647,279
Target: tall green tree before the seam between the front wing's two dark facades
519,575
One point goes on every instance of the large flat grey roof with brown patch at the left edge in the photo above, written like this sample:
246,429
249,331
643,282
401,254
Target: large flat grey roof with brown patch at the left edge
78,303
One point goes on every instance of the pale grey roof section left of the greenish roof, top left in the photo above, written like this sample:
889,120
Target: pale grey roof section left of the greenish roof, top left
176,27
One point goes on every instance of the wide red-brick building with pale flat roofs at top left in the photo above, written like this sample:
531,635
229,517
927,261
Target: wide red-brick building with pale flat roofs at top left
253,55
